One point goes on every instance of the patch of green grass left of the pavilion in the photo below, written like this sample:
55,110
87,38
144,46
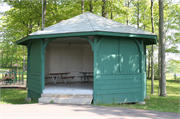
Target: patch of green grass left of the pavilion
14,96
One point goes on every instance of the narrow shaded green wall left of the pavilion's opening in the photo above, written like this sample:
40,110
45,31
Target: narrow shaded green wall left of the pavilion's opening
34,73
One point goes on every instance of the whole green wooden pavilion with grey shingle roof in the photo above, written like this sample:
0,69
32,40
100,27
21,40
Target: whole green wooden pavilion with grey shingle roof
115,54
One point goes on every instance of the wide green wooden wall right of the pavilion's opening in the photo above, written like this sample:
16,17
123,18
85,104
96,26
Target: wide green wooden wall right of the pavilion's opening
119,70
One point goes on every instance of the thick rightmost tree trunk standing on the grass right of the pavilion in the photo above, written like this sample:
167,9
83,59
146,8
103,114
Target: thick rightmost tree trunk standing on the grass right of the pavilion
162,39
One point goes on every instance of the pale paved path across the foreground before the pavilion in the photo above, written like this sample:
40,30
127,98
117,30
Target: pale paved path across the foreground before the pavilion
65,111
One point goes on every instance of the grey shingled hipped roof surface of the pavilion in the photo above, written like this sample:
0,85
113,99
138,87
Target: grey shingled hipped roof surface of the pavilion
89,22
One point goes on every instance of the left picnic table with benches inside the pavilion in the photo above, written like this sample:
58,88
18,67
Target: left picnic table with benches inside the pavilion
61,76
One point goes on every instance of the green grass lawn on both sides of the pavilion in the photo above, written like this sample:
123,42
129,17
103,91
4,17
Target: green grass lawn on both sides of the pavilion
171,103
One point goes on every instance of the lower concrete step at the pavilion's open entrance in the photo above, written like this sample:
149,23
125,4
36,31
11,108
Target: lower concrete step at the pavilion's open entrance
65,100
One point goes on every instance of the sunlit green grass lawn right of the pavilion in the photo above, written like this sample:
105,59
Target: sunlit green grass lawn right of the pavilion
157,103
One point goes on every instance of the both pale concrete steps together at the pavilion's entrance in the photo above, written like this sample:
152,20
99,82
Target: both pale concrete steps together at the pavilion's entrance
66,98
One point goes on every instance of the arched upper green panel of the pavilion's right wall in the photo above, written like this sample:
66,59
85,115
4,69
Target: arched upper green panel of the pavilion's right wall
118,55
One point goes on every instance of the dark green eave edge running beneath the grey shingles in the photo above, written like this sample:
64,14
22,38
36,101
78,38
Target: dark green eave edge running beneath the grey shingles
148,39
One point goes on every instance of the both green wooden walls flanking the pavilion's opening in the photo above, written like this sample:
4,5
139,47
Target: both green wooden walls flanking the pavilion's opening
119,69
